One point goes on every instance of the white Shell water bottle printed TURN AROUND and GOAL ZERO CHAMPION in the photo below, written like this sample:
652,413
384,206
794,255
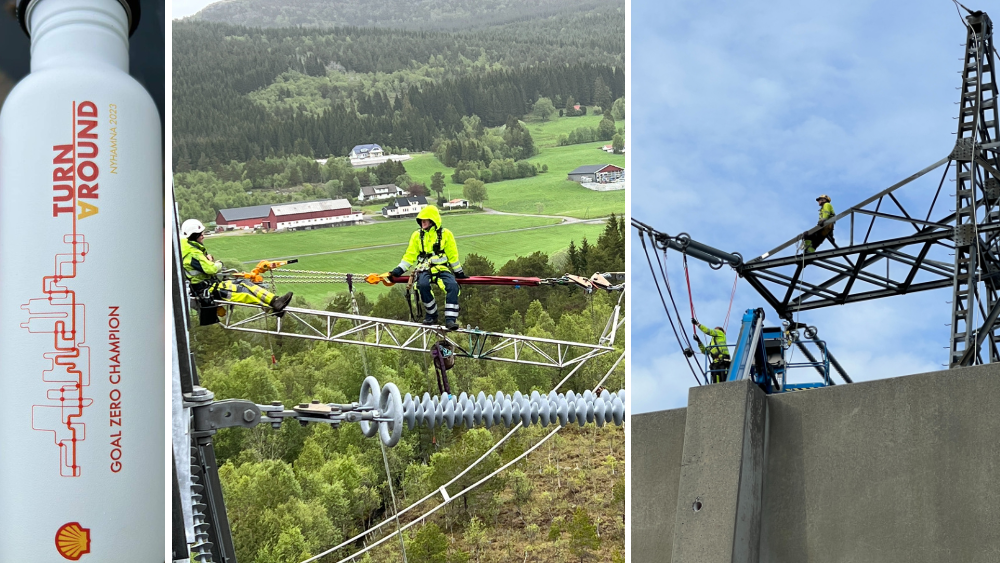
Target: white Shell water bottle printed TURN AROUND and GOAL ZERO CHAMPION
81,295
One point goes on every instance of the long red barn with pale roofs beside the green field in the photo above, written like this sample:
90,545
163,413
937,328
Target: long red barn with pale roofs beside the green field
305,214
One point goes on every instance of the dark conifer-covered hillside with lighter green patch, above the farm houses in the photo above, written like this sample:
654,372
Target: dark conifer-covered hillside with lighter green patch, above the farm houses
242,93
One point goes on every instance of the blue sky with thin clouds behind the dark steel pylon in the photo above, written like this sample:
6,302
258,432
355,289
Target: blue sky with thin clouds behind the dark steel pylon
741,114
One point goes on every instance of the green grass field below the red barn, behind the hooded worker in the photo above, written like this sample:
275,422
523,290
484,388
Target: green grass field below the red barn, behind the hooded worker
359,250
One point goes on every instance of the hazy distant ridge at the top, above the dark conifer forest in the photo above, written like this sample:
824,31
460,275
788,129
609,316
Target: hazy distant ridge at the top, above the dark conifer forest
450,15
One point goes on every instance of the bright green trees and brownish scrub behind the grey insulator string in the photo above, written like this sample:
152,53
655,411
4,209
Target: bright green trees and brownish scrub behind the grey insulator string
300,490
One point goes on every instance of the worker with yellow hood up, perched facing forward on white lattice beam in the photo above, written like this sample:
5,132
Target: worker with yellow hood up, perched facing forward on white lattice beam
434,252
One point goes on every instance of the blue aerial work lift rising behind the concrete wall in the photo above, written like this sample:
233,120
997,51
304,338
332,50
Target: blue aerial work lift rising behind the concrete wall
764,355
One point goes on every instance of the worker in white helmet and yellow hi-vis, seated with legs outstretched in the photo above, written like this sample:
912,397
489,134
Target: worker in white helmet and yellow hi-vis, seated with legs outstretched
201,269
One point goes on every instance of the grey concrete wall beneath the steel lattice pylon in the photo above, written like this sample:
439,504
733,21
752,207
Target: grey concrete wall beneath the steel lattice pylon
900,470
